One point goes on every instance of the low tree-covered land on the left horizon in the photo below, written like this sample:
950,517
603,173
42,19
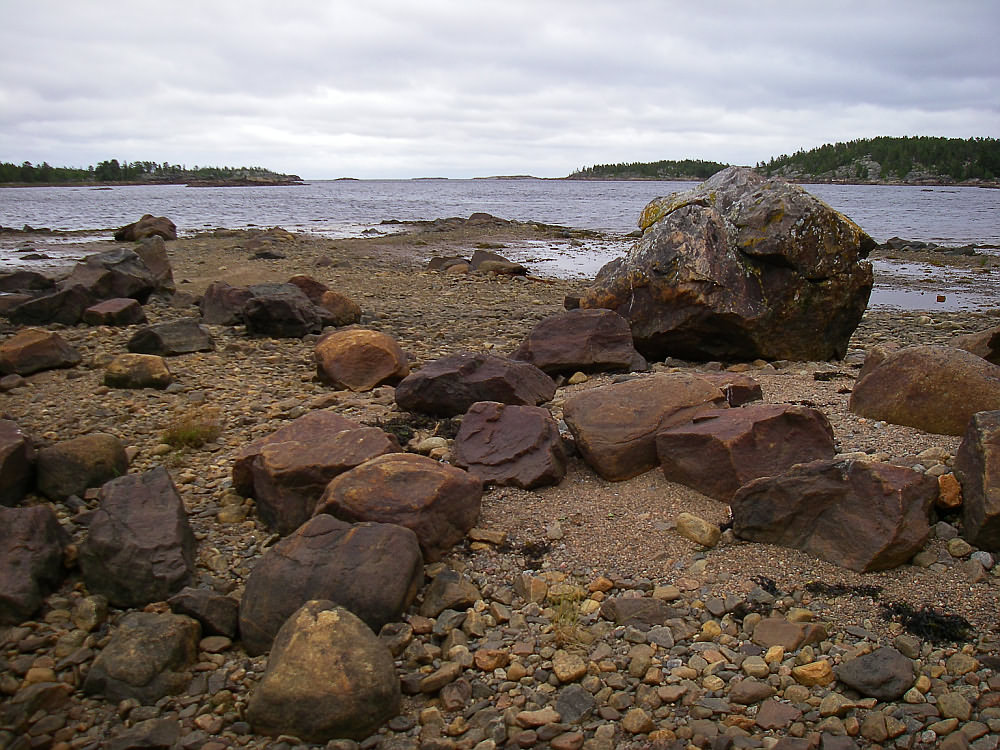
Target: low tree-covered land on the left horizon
113,172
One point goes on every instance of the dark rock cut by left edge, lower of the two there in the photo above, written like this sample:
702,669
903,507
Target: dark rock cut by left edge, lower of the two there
31,560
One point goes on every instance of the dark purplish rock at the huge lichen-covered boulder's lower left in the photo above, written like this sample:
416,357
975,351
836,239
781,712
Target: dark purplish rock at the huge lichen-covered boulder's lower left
584,340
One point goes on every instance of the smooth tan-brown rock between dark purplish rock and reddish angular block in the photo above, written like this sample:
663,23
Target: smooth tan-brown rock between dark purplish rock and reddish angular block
615,426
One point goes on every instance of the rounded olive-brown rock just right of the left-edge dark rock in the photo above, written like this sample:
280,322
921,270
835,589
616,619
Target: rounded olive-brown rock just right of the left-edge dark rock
73,466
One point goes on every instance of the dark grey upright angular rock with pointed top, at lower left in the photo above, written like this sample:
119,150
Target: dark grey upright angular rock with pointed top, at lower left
140,547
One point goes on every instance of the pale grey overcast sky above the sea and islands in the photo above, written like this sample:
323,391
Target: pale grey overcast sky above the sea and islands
461,88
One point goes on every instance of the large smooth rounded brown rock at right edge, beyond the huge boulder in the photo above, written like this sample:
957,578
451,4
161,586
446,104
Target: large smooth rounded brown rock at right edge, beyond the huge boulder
933,388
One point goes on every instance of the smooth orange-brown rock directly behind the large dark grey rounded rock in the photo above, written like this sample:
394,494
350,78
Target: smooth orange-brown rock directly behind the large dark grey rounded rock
440,503
